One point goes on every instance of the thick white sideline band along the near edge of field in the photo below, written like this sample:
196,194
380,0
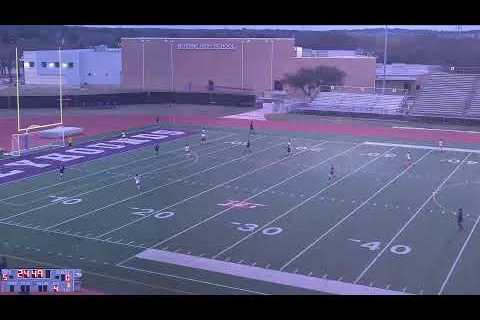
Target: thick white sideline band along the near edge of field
272,276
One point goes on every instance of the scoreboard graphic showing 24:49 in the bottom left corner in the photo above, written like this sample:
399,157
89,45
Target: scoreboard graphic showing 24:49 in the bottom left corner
40,281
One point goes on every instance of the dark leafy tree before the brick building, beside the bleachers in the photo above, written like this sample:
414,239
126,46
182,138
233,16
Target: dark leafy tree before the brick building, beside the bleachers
310,80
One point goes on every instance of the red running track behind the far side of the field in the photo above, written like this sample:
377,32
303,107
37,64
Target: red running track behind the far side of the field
94,125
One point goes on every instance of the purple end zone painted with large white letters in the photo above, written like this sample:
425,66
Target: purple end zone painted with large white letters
53,159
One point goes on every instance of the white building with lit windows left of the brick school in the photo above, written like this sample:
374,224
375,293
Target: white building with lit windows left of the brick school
96,66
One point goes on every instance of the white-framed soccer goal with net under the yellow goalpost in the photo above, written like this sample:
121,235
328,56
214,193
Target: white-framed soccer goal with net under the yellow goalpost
34,140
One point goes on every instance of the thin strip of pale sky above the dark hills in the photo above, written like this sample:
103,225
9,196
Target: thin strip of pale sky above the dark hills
298,27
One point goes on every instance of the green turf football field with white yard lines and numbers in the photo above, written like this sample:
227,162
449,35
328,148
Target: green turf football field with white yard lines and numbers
226,221
